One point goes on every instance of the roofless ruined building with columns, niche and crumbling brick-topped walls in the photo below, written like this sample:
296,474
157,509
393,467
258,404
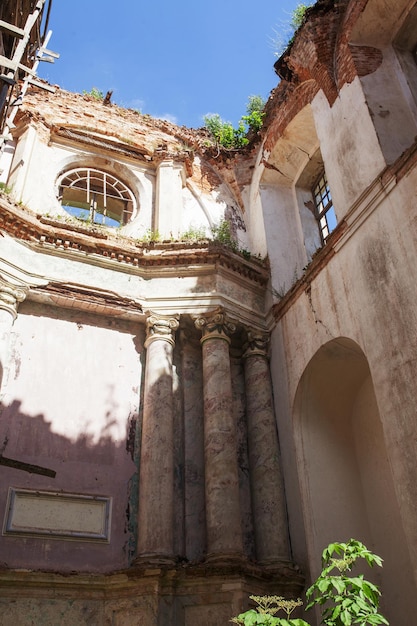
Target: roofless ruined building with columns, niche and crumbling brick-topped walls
191,412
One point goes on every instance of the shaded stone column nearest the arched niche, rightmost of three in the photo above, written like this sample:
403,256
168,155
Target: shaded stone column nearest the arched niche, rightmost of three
268,498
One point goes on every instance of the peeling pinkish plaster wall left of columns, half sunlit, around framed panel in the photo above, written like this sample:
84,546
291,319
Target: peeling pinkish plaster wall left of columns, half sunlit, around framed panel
69,404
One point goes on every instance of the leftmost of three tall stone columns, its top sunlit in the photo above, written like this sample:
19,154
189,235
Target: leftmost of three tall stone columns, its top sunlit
156,476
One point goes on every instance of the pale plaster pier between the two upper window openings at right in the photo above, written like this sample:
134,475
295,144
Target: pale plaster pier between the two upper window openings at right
349,145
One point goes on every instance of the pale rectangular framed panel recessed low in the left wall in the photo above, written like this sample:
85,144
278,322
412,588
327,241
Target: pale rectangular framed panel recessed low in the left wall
57,515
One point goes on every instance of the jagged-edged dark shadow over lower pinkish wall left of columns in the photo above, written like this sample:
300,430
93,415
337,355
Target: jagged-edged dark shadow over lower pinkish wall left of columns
87,466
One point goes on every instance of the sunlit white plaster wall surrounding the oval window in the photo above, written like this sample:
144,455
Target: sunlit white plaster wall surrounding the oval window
164,204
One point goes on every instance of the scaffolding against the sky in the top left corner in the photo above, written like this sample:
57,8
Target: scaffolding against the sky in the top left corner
22,48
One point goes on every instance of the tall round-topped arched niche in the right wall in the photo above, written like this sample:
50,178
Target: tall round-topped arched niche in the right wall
346,482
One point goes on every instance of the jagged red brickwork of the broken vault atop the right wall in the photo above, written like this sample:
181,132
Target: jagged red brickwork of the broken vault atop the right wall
320,57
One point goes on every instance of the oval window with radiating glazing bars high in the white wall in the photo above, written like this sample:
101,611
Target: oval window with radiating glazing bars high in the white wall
96,196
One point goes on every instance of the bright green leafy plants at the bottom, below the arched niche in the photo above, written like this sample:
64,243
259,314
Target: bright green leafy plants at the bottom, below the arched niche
344,600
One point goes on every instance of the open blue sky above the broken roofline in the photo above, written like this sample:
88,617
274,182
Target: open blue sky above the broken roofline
177,60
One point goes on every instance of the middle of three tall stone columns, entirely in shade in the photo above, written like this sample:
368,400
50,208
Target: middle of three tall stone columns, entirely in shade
223,518
